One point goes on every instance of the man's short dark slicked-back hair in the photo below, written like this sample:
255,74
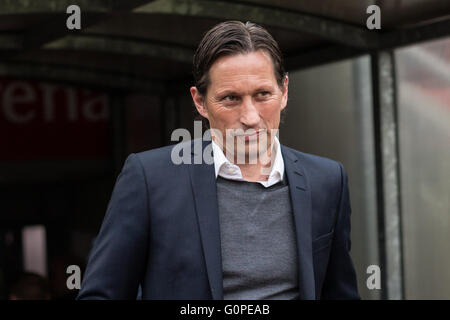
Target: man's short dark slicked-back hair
232,38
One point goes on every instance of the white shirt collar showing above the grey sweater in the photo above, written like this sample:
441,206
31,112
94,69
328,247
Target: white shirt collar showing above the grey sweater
224,168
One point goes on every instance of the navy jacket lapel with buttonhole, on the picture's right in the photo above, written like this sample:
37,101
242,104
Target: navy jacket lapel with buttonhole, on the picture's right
300,192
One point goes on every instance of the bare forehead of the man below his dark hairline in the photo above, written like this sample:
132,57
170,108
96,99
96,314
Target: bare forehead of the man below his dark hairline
254,66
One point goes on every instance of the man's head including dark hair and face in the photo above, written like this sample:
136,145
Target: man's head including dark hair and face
240,81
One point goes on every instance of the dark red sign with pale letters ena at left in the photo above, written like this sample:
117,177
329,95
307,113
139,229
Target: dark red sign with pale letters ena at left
41,121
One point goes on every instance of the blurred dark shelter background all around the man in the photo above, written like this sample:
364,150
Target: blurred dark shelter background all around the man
75,103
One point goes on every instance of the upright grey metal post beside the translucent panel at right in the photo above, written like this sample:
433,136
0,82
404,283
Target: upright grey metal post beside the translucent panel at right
387,174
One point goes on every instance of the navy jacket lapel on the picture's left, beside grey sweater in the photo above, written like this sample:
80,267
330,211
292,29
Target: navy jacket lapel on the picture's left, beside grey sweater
205,195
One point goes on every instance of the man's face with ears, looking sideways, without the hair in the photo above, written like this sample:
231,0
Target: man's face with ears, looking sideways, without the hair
243,94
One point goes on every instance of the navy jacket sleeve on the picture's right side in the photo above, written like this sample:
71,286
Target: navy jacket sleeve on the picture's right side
340,280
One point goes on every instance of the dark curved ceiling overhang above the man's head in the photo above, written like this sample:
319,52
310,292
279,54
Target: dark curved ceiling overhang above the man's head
140,45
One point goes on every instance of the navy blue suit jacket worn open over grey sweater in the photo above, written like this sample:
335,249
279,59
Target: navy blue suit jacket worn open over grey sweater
161,231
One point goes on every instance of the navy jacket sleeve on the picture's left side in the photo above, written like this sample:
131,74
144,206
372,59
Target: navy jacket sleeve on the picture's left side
117,260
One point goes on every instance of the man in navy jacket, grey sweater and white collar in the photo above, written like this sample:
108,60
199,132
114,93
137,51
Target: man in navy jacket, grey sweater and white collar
275,225
